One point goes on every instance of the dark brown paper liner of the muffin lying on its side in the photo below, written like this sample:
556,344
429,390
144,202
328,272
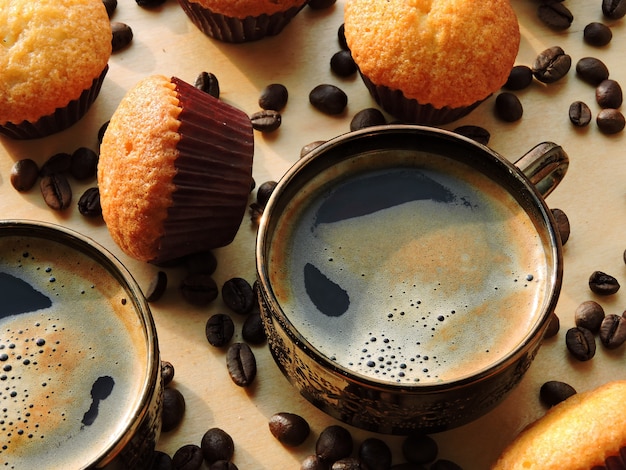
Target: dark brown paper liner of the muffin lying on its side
214,175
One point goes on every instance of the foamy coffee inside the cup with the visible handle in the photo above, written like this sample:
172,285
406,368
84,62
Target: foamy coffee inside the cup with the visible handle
421,274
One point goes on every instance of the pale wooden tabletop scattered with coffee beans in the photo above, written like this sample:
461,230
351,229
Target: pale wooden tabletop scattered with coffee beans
592,195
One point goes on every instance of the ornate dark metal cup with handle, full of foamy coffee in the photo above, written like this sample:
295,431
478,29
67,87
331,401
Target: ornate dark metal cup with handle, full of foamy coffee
426,352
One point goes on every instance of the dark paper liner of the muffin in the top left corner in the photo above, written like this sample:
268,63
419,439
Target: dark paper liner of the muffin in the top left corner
61,119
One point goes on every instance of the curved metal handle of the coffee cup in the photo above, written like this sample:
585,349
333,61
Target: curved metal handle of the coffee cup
545,166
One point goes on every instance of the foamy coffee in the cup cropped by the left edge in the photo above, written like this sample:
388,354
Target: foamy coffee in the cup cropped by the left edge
72,367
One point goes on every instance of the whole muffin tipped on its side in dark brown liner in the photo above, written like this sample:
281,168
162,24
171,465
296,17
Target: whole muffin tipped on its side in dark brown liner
175,171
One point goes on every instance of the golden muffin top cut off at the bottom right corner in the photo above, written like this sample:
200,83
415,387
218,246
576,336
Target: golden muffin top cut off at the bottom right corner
583,431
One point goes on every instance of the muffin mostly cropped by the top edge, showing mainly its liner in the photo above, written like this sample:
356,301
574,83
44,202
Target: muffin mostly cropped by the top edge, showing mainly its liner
241,20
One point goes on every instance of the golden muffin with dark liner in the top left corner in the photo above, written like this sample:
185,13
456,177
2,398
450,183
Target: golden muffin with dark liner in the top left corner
54,58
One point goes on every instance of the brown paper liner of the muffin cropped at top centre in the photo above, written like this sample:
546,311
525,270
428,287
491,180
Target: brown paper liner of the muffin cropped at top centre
237,30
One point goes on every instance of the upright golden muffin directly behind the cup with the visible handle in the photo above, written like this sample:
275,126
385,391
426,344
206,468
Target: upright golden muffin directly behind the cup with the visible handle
432,61
